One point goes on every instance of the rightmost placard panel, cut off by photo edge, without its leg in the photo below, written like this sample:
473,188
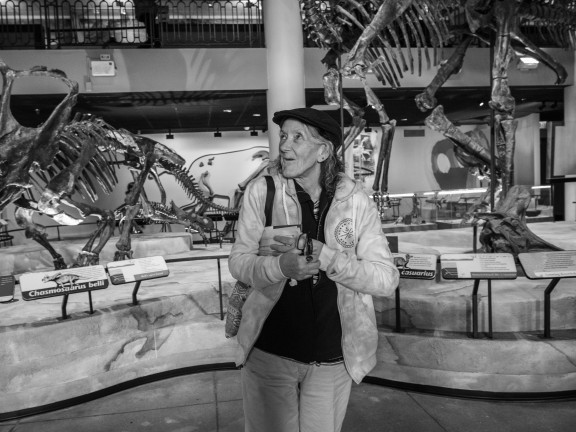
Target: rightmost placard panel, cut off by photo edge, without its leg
548,265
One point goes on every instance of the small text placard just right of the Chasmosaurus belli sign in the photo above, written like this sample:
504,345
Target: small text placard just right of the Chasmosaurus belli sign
138,269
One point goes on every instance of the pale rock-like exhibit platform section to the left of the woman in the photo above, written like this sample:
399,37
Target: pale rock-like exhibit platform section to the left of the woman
176,324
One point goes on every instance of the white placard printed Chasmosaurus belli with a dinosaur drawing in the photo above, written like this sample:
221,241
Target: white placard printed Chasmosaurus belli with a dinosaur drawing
55,283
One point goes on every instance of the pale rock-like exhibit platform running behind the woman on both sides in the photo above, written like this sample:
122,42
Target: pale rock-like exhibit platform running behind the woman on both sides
49,362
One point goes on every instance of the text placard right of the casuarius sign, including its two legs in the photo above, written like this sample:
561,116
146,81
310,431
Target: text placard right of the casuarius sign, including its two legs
487,266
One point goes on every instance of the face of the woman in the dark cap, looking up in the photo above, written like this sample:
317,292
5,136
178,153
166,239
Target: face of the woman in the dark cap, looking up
299,153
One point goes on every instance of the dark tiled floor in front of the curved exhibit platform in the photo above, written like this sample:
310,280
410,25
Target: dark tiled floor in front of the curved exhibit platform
211,401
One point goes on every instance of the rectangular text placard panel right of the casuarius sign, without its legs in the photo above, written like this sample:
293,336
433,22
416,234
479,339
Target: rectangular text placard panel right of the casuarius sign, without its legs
478,266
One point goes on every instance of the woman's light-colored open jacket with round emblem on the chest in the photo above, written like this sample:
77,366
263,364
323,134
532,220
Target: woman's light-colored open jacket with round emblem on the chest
355,256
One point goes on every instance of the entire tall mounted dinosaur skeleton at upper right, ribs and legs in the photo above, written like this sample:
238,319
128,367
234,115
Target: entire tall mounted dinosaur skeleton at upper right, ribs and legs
382,30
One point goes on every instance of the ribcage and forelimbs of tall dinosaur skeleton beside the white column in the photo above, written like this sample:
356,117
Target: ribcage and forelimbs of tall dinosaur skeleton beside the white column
371,33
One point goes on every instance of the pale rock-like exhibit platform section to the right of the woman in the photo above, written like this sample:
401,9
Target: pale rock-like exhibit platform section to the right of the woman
434,348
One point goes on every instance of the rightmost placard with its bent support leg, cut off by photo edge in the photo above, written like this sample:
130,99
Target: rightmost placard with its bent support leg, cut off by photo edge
554,265
